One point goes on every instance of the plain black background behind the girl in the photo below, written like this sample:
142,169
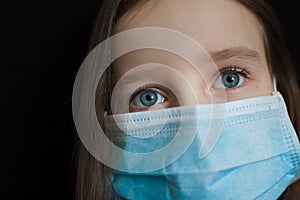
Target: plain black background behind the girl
43,45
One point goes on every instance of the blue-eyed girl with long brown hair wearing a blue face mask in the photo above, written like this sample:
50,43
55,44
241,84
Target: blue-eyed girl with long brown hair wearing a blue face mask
244,44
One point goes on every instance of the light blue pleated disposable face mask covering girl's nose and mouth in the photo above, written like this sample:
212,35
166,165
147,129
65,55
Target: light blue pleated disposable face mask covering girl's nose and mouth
255,155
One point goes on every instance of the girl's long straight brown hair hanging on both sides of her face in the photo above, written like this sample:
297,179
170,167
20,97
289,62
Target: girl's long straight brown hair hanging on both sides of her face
93,179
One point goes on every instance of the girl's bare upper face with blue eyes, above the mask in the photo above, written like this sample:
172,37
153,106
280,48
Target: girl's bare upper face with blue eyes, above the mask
228,31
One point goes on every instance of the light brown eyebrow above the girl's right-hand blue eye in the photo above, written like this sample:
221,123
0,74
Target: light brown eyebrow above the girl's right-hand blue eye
235,52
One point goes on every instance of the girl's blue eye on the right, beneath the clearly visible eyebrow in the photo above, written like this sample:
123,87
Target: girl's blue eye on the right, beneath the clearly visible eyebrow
231,78
